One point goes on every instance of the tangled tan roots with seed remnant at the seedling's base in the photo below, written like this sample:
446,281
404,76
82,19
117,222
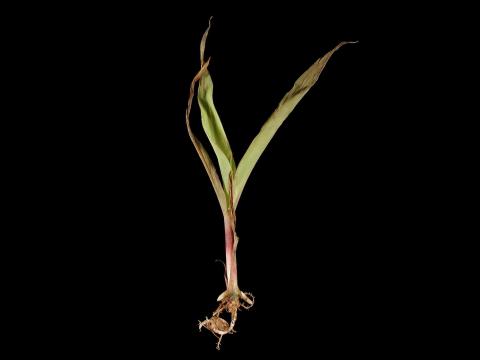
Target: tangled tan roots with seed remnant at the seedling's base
230,302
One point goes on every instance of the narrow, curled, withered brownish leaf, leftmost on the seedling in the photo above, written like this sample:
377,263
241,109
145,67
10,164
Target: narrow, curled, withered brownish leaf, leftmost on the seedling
207,162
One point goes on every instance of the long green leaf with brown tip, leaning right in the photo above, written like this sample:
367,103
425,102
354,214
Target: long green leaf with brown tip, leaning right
268,130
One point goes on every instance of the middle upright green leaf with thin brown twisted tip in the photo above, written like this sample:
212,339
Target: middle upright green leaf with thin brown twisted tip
211,122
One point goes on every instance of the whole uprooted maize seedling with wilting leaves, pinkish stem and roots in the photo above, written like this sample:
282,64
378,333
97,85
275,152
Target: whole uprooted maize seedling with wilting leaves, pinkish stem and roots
229,184
